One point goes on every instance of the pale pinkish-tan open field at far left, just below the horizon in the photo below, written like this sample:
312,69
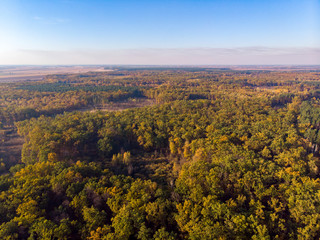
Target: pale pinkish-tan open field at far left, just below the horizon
35,73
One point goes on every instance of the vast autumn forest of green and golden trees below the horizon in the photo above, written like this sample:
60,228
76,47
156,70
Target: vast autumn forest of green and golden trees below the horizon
196,153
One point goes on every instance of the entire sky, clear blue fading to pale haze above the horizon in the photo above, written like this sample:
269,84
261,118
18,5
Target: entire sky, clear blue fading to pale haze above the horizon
181,32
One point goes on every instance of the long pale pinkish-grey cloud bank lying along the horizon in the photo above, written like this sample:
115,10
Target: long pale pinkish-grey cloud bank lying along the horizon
175,56
